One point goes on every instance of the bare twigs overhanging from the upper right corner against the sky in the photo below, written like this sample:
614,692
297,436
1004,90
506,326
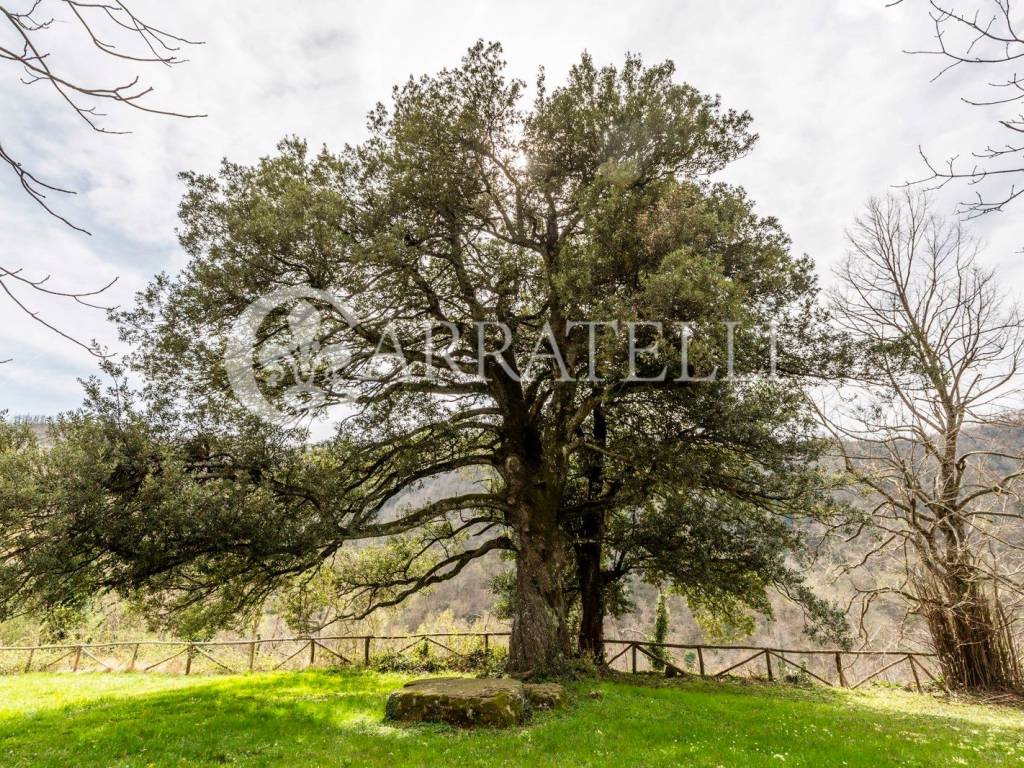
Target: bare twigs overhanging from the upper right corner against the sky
988,39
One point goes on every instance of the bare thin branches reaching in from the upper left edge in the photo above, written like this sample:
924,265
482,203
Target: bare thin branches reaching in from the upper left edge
114,30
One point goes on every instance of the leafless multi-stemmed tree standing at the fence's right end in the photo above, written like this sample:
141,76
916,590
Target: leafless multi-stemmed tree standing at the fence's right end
929,429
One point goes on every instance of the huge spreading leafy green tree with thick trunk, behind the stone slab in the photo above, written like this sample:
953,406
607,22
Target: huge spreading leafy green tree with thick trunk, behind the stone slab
557,305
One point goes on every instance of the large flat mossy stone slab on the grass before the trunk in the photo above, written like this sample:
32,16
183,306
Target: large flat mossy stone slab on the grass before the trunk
491,702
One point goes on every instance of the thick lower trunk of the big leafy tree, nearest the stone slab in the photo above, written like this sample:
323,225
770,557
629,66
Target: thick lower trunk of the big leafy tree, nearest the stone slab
540,644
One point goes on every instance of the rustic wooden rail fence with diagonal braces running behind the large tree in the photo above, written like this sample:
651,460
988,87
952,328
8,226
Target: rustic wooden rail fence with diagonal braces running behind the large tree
834,668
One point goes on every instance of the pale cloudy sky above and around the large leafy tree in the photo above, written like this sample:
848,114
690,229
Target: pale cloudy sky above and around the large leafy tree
841,110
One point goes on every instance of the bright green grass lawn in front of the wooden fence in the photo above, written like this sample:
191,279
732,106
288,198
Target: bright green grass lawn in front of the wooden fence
325,719
